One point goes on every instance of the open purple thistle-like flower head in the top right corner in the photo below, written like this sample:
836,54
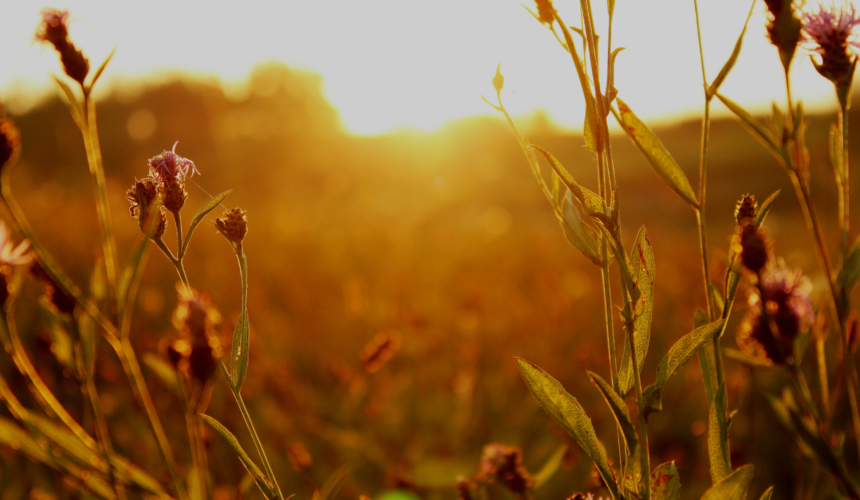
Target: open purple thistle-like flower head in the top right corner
829,32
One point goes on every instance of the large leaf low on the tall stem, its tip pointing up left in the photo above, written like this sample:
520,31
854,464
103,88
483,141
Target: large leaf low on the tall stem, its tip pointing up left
567,411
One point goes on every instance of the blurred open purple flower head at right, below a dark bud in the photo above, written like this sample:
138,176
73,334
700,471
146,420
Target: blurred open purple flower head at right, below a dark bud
777,315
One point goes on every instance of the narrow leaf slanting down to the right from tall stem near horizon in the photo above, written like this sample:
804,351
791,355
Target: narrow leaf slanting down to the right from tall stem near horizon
657,155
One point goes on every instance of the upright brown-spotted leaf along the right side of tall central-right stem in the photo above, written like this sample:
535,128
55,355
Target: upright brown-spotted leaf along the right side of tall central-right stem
644,271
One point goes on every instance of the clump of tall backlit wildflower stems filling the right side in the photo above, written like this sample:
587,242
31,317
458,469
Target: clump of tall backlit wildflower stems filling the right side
780,308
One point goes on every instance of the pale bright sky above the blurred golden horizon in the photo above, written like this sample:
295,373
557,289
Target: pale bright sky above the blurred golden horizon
389,64
